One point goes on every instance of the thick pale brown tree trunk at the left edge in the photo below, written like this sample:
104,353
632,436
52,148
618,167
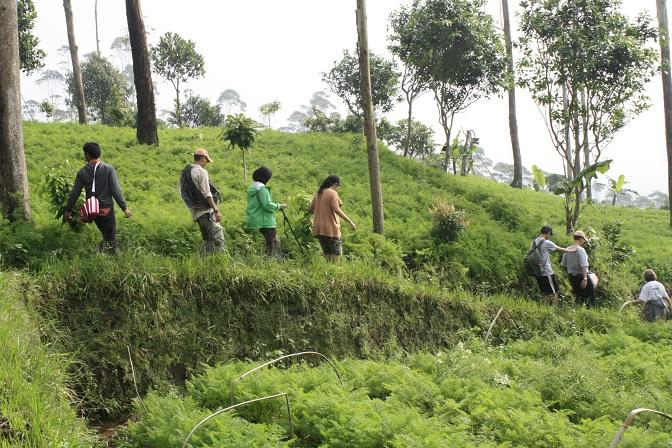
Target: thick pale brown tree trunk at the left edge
13,173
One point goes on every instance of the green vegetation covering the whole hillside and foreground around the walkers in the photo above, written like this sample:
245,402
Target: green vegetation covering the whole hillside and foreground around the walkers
395,296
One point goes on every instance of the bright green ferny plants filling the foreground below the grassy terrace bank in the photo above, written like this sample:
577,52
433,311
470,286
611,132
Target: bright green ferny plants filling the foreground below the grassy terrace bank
544,392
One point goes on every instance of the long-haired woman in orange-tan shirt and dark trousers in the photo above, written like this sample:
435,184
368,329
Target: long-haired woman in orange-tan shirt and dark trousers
326,209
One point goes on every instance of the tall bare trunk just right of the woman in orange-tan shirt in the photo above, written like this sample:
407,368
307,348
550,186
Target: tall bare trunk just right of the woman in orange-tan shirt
369,120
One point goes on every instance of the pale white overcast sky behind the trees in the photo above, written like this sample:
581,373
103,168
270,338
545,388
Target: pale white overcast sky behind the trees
276,50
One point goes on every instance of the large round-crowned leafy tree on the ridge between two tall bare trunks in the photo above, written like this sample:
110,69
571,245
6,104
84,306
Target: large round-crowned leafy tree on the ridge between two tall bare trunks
453,48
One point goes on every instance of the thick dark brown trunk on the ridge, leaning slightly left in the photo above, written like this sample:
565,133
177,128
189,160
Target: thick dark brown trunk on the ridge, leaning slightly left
146,132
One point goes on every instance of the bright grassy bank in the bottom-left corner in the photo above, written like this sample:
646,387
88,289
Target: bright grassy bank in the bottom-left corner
34,400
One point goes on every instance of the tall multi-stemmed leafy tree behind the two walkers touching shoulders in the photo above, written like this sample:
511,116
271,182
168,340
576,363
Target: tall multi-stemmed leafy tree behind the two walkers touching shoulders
586,64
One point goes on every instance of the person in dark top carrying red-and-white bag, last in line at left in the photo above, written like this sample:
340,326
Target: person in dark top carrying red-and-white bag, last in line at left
106,188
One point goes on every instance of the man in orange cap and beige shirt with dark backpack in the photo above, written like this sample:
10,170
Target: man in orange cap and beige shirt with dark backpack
197,194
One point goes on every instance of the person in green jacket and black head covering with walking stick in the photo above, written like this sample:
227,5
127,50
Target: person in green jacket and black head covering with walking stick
261,210
